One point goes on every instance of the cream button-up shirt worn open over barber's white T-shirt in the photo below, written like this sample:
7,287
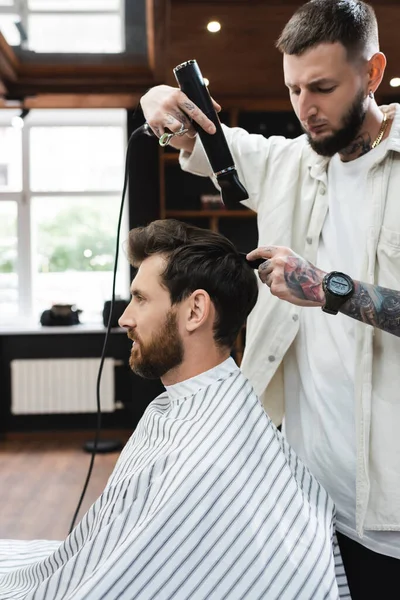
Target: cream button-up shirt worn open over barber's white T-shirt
287,183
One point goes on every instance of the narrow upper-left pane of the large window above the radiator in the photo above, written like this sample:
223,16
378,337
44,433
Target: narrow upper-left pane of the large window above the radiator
10,159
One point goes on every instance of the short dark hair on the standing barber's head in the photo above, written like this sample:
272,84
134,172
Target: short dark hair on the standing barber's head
350,22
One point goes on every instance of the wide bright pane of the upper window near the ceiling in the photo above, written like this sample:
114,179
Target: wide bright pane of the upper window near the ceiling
75,33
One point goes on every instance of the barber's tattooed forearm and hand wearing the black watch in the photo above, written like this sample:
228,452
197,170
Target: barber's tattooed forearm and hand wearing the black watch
296,280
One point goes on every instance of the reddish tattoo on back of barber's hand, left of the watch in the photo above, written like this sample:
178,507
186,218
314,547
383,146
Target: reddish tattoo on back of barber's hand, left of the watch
304,280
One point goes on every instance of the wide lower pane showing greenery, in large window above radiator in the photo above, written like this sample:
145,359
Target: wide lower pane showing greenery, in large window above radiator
74,248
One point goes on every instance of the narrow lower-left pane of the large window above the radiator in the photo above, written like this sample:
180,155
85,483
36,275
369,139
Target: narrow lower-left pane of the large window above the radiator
8,260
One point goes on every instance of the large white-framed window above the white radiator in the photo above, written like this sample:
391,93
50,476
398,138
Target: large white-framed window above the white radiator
62,224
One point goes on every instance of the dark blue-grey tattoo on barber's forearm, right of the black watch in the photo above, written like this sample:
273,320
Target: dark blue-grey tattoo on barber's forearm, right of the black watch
374,305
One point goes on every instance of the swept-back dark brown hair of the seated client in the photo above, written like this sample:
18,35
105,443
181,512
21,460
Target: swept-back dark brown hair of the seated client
200,259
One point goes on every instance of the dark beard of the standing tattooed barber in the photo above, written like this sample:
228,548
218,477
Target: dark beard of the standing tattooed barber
347,134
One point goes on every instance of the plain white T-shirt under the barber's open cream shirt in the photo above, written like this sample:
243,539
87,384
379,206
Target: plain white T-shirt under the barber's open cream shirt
320,365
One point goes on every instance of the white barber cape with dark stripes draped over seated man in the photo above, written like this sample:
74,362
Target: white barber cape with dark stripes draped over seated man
206,501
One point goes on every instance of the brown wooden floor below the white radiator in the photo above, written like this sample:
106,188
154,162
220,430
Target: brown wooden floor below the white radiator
41,480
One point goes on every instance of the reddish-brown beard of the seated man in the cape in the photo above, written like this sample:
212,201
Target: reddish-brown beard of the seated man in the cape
163,353
